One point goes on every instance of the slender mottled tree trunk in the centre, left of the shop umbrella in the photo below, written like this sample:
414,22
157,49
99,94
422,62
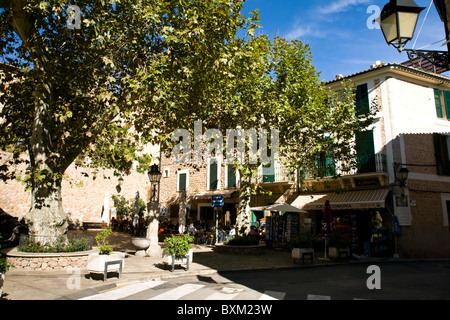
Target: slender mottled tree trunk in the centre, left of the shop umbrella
243,219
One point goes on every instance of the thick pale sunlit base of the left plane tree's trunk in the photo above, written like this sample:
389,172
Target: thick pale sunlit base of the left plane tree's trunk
46,216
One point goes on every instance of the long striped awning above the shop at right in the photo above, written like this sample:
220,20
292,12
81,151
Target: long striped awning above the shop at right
361,199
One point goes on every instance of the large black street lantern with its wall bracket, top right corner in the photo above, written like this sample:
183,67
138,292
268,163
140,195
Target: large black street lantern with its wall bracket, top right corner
398,21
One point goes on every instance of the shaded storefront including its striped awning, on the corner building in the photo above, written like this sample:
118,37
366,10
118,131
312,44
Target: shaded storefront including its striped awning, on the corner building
362,217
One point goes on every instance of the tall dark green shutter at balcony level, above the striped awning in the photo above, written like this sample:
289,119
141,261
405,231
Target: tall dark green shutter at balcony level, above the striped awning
365,152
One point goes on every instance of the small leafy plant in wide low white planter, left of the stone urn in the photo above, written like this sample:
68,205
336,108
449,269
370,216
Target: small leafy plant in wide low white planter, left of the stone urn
97,261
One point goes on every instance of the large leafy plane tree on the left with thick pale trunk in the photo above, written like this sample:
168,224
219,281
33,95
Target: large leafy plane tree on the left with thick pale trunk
93,81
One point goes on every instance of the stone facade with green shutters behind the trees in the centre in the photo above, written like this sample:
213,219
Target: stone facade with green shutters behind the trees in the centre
198,192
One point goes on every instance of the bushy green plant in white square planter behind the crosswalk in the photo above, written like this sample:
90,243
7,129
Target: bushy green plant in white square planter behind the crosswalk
177,249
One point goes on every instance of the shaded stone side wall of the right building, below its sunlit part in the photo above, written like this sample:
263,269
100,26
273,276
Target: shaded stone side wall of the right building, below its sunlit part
429,233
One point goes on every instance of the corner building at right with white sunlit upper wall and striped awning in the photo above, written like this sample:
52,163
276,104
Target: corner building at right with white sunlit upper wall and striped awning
411,132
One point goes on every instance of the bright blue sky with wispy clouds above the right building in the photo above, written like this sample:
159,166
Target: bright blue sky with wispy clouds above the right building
337,31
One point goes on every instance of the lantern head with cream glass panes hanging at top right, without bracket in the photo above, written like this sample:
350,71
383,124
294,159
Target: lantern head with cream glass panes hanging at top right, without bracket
398,22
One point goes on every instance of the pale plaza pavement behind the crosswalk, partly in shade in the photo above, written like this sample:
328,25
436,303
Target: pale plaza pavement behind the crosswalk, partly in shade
48,285
